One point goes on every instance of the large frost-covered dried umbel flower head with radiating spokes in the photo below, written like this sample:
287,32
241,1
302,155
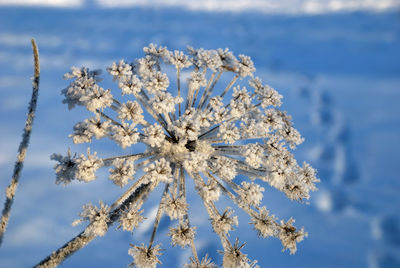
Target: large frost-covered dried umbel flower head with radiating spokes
219,127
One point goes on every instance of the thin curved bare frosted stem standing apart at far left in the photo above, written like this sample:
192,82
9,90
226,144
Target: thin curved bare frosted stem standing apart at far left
12,188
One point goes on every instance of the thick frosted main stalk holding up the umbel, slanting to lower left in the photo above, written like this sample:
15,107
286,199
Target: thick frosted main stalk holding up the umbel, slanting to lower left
82,239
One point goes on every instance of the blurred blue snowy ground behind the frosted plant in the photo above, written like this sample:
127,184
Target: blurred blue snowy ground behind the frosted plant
336,62
